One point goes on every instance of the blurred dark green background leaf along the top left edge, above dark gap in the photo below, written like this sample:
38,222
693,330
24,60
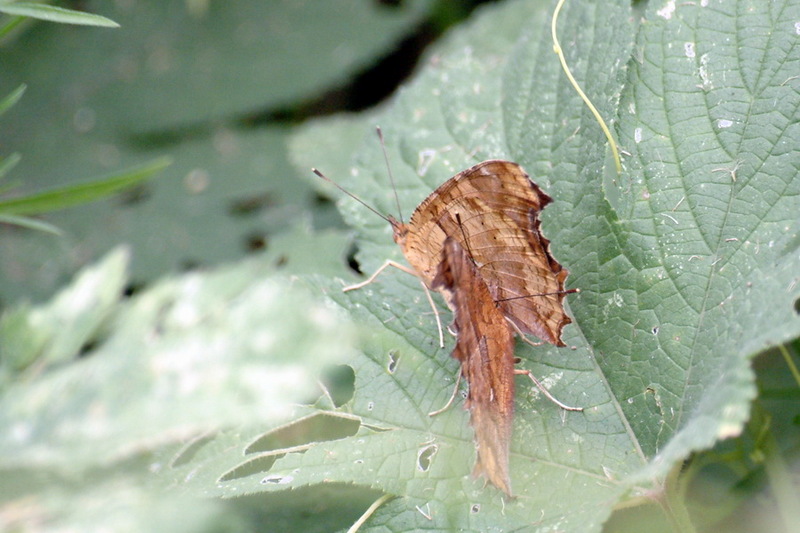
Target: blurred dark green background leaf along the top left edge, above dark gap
139,78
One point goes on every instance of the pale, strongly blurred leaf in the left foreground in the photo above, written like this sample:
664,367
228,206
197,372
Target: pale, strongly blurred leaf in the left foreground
97,379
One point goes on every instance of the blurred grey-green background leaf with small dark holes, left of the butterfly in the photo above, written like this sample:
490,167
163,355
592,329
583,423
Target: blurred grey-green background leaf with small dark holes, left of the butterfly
222,197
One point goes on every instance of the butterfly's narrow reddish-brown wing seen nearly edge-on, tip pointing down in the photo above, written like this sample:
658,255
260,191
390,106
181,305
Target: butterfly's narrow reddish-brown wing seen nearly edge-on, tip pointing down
485,349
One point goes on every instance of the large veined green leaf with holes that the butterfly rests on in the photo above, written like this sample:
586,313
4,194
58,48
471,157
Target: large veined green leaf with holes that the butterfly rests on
687,270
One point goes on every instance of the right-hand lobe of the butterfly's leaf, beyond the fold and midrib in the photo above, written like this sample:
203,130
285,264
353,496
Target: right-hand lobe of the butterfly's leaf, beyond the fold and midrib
707,217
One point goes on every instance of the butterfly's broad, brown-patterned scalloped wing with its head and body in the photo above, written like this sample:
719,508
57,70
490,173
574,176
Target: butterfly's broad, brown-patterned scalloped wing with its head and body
492,210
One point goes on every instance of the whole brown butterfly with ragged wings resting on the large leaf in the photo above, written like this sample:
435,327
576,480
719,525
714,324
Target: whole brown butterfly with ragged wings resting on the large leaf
477,240
